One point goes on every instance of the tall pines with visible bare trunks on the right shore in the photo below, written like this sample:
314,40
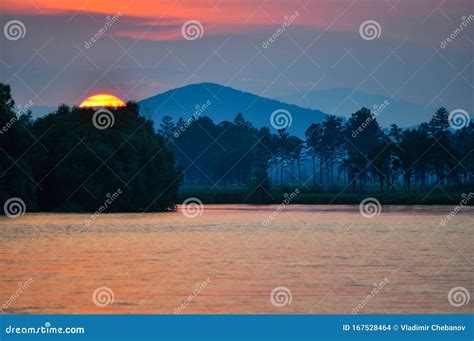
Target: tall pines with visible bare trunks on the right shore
430,154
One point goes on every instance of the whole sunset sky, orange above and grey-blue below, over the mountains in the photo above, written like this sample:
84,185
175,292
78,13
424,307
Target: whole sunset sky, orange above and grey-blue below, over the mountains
144,51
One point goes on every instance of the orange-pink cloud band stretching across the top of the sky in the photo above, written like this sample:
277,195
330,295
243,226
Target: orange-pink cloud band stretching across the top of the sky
243,16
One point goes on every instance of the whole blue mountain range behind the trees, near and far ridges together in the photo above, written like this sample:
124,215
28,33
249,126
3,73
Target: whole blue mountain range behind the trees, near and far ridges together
224,103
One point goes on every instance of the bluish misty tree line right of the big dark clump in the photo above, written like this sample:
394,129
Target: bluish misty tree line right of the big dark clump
355,152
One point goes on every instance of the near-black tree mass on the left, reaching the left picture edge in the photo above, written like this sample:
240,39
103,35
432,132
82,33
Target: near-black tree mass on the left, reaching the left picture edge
63,162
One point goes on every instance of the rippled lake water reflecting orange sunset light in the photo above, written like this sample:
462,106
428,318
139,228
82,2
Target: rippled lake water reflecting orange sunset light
227,261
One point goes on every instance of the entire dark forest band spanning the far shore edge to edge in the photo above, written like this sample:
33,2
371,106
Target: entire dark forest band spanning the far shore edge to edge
62,162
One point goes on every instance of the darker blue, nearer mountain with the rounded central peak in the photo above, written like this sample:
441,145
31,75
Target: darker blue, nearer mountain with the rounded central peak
224,104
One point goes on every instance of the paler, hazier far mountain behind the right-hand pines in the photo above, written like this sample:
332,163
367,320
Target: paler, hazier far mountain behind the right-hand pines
344,102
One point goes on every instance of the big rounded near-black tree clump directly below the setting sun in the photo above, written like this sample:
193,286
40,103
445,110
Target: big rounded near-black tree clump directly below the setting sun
78,164
